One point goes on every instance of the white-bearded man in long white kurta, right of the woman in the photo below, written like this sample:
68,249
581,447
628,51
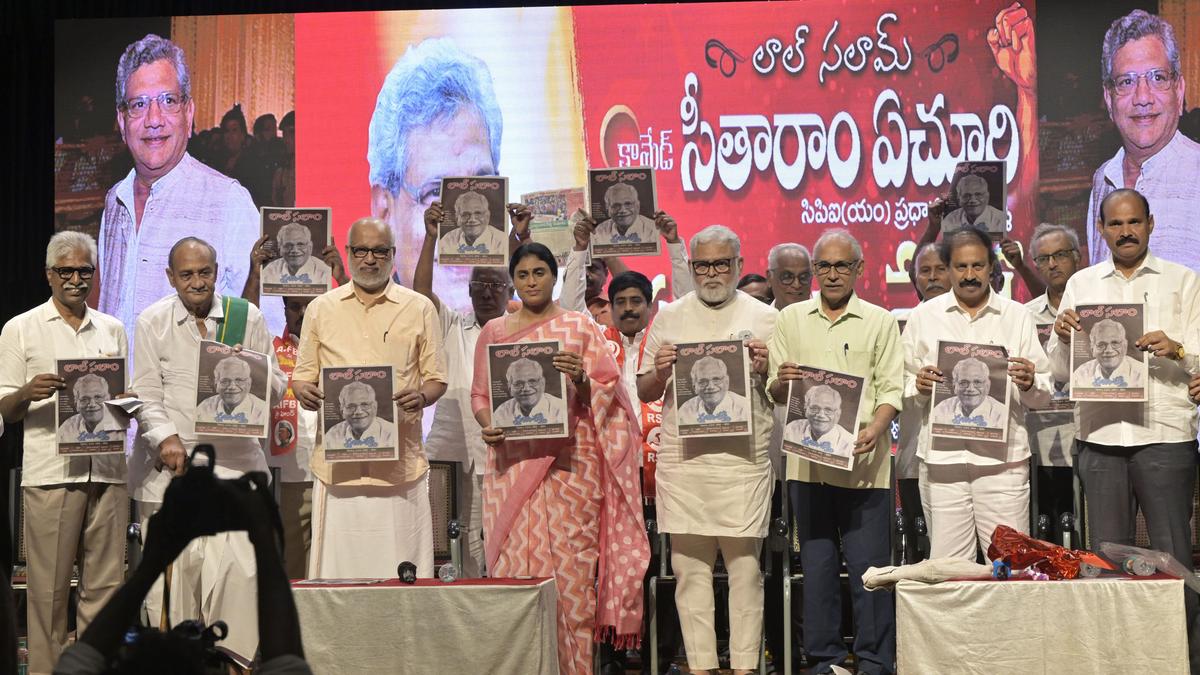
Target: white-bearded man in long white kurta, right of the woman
713,493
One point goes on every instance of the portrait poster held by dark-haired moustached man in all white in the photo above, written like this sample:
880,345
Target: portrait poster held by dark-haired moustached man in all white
973,401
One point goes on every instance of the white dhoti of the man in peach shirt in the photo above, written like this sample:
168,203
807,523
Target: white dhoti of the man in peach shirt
367,531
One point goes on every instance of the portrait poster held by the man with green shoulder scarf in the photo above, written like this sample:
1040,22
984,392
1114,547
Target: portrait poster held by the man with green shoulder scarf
232,392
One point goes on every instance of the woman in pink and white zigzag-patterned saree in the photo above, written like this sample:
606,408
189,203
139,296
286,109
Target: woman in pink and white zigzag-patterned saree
568,509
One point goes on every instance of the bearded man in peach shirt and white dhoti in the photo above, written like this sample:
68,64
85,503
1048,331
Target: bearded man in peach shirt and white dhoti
368,517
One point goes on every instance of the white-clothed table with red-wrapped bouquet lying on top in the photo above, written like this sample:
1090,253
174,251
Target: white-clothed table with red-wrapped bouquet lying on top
1103,625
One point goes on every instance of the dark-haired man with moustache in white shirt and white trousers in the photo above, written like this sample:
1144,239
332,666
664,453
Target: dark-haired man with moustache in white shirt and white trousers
975,485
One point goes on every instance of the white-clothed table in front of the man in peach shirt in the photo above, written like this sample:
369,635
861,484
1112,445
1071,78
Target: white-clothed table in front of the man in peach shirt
466,626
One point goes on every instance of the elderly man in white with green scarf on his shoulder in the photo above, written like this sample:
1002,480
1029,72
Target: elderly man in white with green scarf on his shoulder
214,578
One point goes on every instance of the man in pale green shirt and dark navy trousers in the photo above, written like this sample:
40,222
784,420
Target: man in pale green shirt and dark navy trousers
842,333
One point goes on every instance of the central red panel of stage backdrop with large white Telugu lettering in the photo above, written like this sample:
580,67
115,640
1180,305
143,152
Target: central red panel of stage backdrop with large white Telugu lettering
777,120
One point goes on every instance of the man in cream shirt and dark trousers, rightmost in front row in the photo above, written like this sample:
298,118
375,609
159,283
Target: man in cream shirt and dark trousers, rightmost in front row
1139,453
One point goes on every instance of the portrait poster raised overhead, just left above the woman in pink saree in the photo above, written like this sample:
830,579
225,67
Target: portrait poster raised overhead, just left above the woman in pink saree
475,232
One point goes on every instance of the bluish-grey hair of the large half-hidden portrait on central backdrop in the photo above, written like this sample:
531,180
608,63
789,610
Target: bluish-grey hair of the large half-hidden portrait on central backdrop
434,81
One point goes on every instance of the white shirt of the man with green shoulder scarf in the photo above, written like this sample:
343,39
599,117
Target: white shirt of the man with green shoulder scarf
165,375
